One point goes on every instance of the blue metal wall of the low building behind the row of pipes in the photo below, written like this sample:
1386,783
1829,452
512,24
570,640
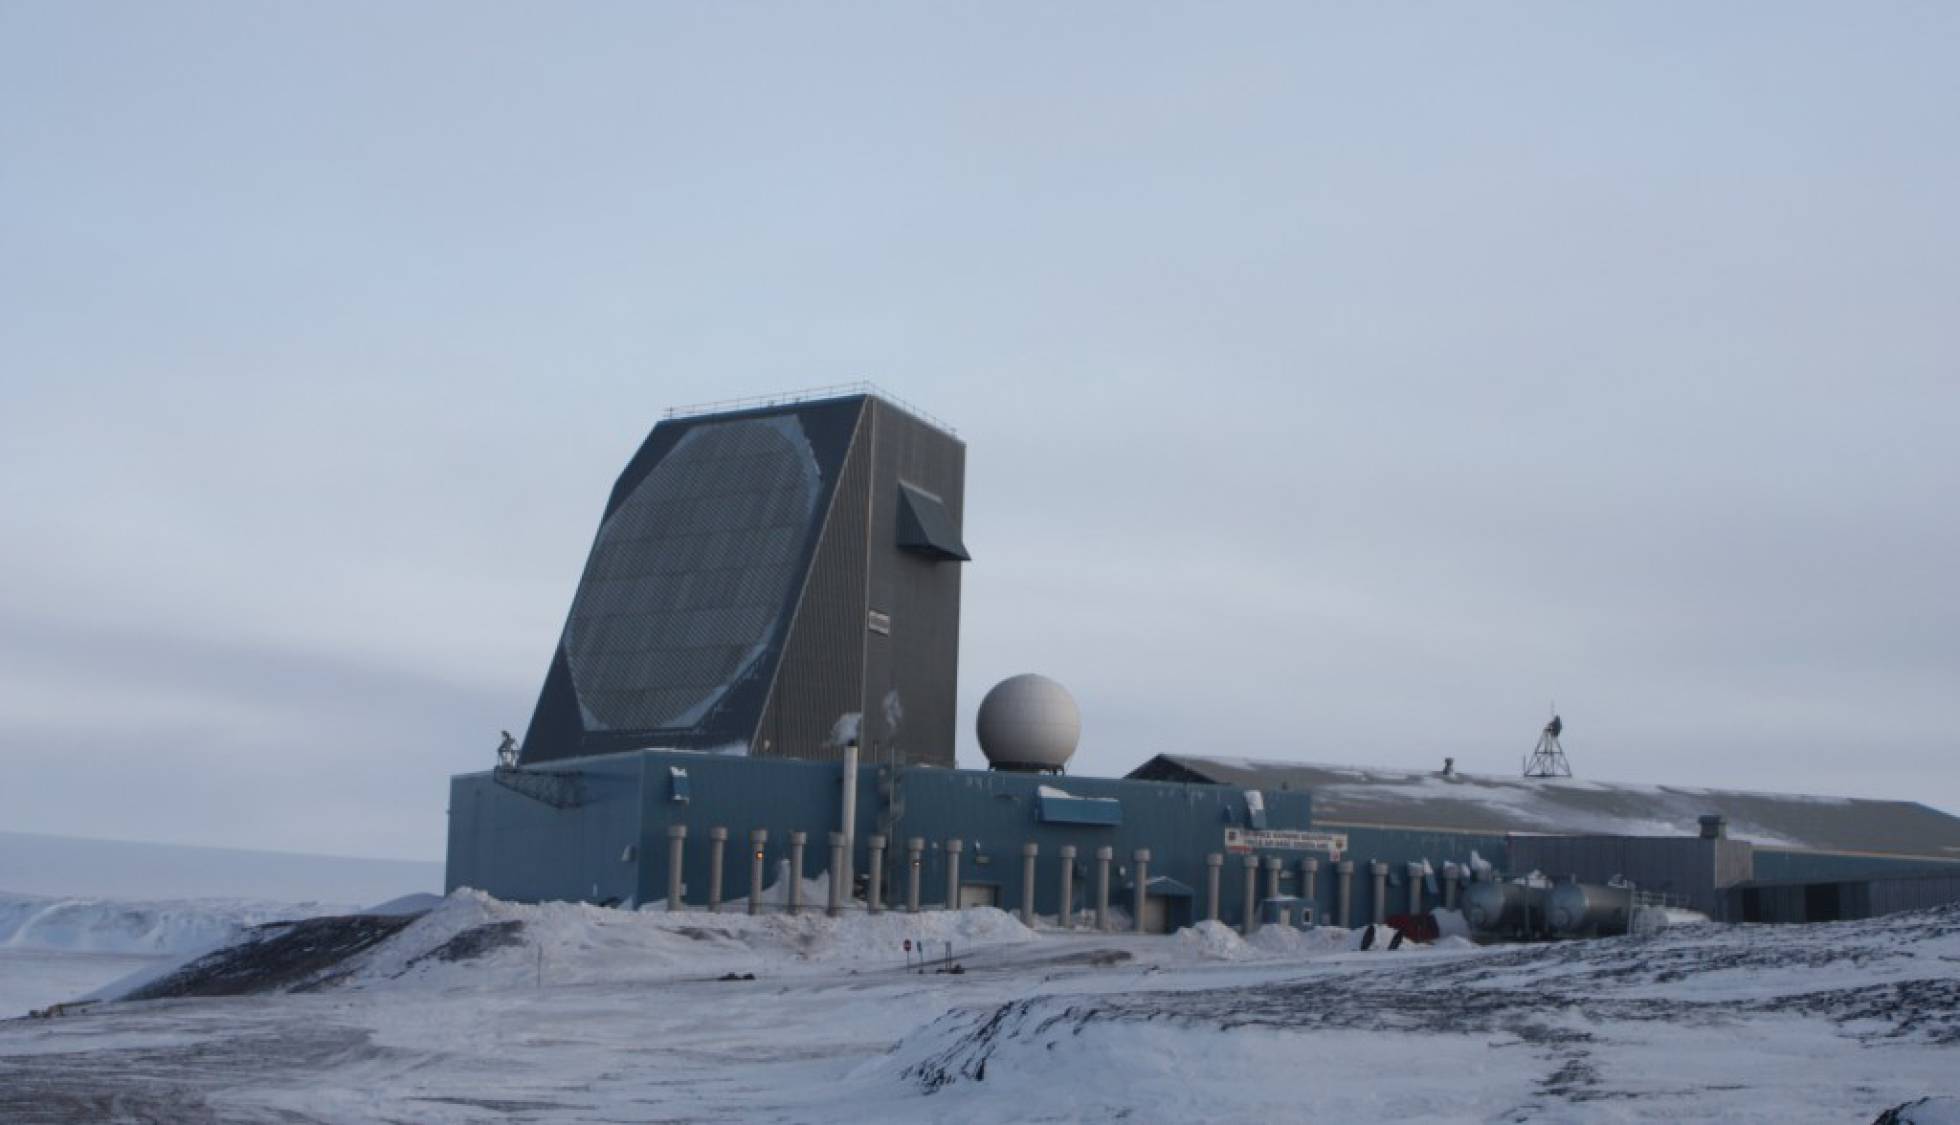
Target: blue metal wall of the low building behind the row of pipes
614,846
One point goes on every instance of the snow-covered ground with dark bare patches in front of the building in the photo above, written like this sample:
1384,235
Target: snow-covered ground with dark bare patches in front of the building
497,1012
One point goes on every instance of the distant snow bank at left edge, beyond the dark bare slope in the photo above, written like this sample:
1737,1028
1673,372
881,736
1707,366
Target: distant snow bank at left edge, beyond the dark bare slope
138,928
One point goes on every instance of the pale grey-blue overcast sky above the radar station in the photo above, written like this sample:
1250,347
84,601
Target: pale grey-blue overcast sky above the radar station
1340,383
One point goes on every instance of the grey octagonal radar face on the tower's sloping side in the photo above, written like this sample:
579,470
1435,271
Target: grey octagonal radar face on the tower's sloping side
693,575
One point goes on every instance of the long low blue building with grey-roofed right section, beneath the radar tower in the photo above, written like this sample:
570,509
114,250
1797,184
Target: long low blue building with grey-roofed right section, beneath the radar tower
1355,844
